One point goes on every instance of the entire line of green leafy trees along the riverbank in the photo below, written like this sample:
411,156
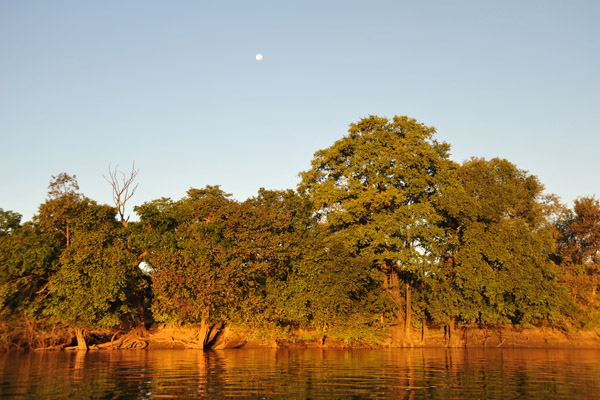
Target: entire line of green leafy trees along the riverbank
384,236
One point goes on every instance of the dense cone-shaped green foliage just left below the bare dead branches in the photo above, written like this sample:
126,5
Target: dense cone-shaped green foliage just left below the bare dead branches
97,277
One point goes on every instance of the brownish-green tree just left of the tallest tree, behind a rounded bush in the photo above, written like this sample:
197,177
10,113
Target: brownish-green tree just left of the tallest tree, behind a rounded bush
269,232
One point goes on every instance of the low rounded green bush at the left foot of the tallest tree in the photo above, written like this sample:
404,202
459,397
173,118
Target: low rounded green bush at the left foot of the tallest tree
331,291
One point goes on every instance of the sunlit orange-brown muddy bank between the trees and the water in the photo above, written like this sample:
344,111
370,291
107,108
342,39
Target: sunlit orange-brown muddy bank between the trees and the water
225,337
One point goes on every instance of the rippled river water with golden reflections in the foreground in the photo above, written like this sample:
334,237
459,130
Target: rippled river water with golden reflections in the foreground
303,374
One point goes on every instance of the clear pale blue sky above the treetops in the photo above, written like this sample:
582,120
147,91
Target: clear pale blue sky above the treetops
175,87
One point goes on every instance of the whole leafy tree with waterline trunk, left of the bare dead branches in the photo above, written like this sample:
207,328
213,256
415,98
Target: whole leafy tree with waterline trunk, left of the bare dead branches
95,275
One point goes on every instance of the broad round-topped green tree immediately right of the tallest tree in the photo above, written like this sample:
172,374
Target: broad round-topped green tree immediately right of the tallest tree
496,266
